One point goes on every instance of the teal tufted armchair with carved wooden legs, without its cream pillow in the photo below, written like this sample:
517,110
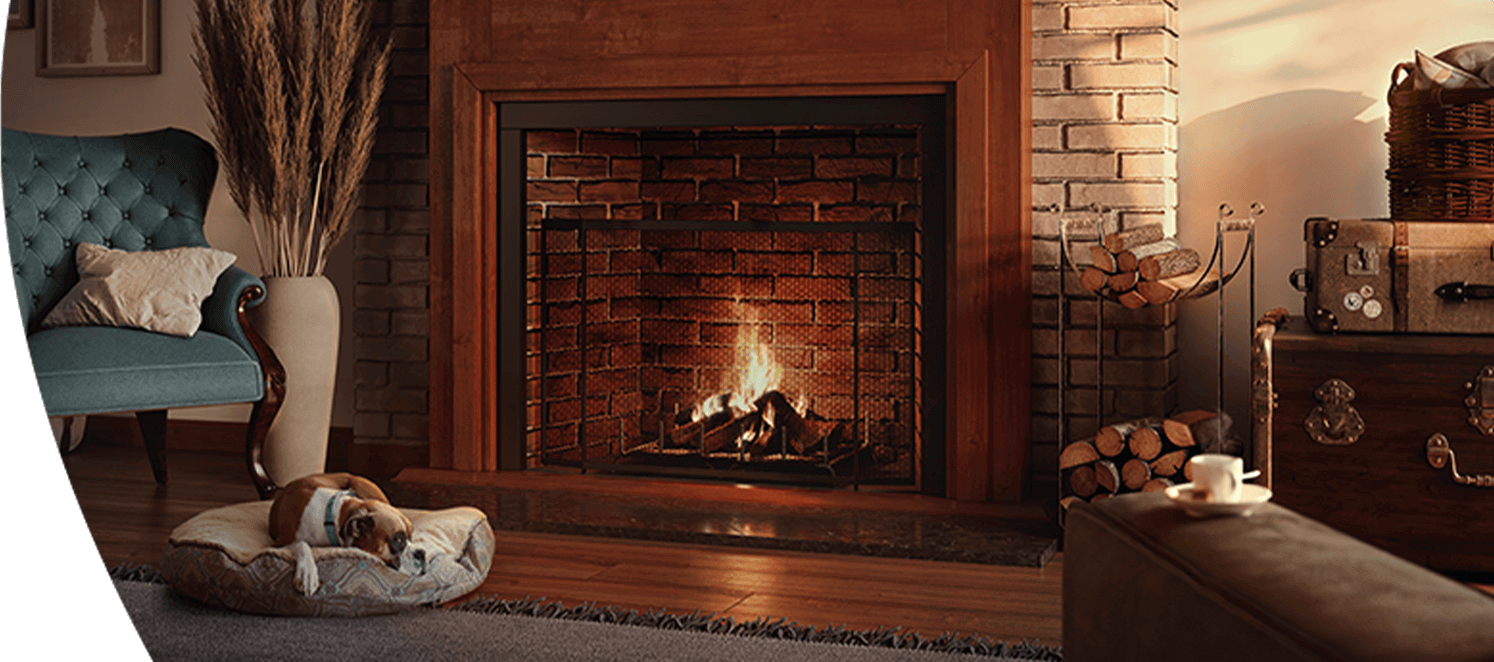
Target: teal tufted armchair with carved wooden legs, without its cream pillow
138,192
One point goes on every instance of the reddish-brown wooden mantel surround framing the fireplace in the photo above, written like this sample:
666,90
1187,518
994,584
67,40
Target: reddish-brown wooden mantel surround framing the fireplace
485,53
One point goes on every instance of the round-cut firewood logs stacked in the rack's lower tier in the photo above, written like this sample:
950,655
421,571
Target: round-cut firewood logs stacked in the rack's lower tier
1148,455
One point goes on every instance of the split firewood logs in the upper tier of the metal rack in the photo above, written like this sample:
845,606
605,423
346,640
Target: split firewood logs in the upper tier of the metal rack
1142,267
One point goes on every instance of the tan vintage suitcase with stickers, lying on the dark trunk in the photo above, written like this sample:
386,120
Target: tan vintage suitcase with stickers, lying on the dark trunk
1378,276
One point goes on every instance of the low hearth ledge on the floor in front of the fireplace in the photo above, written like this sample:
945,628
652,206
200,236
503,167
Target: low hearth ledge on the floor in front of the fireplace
799,519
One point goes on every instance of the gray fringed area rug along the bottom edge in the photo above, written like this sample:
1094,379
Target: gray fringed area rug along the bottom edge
177,628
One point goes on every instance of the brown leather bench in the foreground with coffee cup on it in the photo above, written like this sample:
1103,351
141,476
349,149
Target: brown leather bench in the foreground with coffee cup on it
1144,581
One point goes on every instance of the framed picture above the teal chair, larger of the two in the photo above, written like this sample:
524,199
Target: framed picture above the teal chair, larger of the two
98,38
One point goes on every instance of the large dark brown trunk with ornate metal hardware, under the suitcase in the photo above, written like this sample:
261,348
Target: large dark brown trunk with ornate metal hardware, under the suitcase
1389,439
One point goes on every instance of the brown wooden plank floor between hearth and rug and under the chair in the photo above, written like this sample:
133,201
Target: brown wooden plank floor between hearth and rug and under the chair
131,519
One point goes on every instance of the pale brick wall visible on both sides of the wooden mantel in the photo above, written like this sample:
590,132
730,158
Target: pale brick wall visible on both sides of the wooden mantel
1105,134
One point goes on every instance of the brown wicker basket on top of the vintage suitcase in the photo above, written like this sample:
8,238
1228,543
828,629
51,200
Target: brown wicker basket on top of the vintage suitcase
1442,152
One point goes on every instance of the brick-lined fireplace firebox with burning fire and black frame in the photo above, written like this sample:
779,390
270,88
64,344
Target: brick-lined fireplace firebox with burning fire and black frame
734,289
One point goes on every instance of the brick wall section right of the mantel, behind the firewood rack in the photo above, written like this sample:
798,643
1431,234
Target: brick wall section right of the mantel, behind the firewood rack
1105,147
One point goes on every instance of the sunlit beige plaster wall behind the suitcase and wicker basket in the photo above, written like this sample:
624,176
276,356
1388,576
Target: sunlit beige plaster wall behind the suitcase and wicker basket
1284,102
